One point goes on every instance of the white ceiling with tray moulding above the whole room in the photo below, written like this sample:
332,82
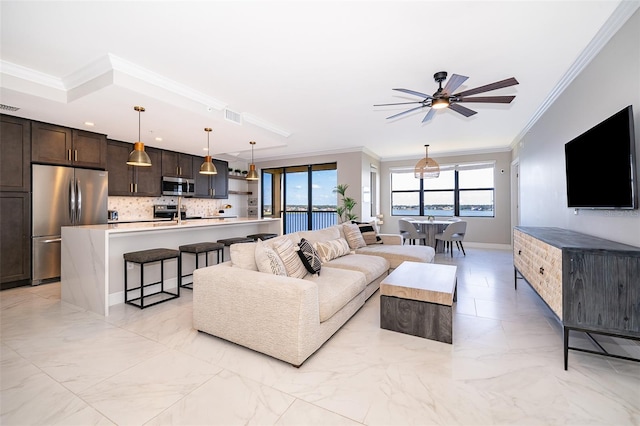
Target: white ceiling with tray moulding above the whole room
304,75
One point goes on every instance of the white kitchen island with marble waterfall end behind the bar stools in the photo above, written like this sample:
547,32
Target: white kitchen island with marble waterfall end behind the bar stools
92,264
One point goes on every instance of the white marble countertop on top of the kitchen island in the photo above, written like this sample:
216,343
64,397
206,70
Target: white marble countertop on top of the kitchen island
114,228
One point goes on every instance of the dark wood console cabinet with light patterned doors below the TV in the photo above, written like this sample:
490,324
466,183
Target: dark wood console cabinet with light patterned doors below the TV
591,284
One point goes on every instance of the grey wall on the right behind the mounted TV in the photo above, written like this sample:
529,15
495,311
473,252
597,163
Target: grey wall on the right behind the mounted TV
608,84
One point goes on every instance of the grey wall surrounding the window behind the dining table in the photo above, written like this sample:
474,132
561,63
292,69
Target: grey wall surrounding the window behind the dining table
486,230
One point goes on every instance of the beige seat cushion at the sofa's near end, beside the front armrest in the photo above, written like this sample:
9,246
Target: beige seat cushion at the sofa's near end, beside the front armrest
336,288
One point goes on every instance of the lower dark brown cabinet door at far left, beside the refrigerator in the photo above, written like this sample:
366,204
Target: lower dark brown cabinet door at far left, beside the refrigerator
15,244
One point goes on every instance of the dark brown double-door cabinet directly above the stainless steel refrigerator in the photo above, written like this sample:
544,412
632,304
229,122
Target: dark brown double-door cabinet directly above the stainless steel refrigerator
51,144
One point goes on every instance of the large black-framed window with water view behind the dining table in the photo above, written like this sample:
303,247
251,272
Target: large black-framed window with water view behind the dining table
461,190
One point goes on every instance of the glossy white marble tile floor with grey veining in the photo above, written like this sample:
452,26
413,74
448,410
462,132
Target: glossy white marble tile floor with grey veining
61,365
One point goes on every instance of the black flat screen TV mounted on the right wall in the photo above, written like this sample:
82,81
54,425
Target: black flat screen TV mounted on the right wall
600,165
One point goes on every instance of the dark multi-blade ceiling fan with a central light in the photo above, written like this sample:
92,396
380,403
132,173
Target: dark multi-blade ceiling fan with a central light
443,97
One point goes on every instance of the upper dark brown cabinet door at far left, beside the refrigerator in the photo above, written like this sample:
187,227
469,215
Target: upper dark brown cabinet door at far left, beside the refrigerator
15,154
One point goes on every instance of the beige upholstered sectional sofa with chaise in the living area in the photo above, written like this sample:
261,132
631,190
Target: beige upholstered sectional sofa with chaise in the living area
286,317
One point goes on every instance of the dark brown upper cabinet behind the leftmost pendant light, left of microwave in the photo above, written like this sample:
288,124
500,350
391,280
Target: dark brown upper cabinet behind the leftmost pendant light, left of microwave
125,180
